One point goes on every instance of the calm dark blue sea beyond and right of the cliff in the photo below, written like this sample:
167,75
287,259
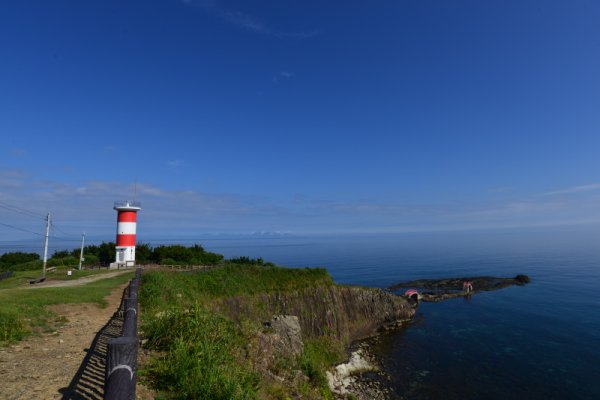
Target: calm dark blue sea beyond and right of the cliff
540,341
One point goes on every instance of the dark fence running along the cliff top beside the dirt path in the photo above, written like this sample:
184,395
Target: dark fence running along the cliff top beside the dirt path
121,358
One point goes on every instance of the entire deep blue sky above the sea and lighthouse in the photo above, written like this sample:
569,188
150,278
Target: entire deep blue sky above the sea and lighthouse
300,116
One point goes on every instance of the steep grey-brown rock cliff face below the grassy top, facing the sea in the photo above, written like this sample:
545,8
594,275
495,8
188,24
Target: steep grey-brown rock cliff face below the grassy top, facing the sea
349,313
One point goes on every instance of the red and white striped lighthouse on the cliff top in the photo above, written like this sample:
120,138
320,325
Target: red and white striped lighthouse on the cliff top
126,227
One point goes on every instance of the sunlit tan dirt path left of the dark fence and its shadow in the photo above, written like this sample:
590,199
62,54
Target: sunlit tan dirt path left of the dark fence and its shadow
43,367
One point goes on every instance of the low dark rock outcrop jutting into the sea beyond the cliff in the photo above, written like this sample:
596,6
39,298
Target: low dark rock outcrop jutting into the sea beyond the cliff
442,289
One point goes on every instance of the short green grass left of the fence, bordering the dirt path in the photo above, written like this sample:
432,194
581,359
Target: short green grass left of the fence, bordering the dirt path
23,311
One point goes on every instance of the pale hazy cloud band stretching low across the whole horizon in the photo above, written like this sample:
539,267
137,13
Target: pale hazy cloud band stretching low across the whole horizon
87,206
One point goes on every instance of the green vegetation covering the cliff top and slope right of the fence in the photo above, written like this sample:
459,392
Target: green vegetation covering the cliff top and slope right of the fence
201,353
